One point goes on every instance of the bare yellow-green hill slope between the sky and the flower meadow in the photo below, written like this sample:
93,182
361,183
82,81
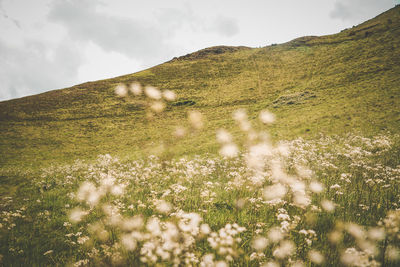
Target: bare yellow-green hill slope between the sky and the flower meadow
332,84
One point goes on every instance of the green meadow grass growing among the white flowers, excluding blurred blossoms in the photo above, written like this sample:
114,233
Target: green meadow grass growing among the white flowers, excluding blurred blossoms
212,187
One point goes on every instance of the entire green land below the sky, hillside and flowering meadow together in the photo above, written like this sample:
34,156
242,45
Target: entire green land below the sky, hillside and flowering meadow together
319,186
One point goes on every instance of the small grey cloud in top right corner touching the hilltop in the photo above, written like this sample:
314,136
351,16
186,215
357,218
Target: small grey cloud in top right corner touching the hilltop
358,10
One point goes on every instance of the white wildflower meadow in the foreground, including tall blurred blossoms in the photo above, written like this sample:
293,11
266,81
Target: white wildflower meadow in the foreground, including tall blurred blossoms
328,201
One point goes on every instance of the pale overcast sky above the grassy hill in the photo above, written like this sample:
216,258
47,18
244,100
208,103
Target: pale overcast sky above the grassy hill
52,44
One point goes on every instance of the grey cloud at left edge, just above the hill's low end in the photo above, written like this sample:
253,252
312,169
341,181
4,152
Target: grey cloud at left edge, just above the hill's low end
36,66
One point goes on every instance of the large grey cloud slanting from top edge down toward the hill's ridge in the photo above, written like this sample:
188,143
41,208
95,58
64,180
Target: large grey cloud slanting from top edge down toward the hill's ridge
133,37
